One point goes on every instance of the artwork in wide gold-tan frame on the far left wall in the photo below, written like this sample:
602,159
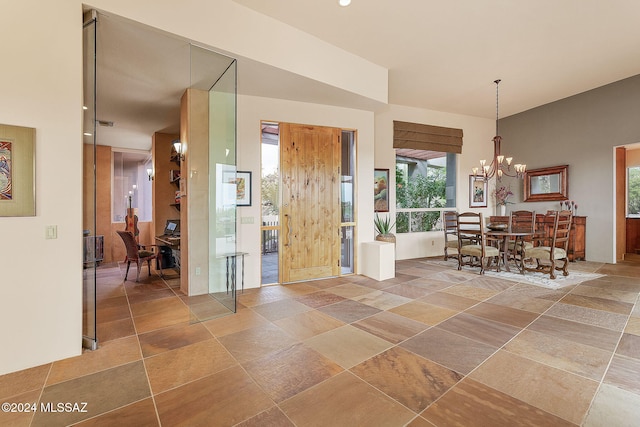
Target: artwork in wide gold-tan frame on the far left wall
17,171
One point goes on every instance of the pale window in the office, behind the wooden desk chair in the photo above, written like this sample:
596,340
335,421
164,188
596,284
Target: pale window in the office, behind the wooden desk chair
131,184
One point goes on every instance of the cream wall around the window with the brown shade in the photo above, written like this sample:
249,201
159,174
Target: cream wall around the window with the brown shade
477,144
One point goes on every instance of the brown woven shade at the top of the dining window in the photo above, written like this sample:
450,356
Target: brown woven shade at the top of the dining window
426,137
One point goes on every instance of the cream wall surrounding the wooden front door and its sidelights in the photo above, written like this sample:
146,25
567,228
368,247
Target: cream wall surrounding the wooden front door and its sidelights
251,110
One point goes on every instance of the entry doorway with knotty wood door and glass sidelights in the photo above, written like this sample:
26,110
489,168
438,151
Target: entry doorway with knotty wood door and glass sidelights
308,202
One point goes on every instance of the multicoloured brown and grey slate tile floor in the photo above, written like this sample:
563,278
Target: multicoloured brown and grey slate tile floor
431,347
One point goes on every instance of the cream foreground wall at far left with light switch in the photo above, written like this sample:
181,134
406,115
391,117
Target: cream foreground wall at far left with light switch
41,280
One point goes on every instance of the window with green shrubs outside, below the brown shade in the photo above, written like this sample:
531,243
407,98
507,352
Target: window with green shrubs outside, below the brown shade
425,185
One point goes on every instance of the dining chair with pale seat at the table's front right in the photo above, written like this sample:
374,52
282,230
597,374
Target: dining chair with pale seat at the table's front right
550,249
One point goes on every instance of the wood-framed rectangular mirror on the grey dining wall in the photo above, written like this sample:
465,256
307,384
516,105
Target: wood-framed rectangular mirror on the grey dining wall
546,184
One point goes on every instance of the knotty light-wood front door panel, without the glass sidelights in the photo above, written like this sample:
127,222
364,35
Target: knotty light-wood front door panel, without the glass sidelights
310,211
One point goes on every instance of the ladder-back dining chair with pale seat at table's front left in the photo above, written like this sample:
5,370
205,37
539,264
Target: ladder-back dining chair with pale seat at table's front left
472,242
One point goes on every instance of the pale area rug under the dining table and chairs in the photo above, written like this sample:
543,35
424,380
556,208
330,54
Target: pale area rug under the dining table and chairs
531,277
